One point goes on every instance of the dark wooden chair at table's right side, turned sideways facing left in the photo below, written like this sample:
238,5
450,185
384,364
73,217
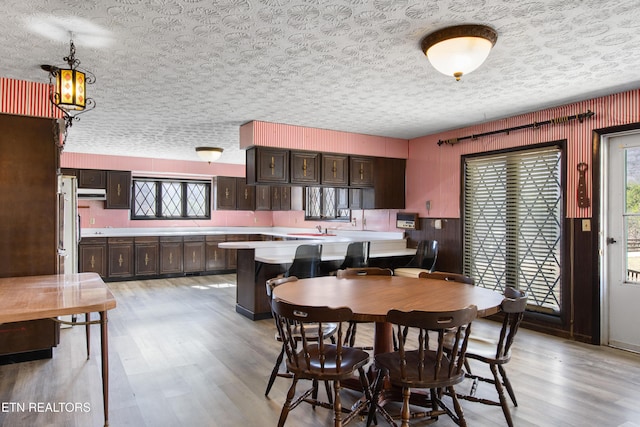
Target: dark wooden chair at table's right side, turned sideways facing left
496,352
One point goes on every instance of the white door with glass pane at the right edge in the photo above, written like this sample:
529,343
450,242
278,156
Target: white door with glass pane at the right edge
621,310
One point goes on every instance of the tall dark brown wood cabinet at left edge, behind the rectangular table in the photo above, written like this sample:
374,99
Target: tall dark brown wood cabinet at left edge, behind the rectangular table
28,222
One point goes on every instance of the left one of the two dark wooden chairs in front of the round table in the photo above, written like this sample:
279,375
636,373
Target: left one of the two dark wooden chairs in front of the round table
317,360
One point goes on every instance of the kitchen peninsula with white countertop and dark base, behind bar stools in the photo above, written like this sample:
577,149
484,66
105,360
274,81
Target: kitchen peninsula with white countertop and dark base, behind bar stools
258,261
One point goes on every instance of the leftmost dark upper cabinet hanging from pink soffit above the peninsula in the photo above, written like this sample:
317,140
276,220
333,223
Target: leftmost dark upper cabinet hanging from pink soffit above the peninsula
267,165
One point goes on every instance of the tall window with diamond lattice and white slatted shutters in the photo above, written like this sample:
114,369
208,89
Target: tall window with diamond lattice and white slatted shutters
513,223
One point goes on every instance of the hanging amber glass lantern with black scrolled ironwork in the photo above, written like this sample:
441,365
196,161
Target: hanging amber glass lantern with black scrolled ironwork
69,93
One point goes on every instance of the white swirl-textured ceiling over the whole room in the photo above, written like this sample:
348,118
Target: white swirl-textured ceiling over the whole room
173,75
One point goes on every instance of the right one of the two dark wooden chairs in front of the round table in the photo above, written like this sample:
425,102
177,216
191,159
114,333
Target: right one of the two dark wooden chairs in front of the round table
425,364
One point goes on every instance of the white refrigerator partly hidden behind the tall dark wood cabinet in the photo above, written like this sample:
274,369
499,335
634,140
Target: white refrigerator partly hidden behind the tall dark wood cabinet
68,225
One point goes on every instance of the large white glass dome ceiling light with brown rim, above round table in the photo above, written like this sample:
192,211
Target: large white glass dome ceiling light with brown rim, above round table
456,51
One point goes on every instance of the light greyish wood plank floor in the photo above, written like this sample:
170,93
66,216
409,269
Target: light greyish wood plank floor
181,356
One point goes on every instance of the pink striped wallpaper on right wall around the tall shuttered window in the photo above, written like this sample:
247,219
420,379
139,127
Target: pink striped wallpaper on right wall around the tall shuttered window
433,172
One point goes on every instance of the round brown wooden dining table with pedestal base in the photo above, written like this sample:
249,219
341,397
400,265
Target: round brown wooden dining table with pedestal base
371,297
